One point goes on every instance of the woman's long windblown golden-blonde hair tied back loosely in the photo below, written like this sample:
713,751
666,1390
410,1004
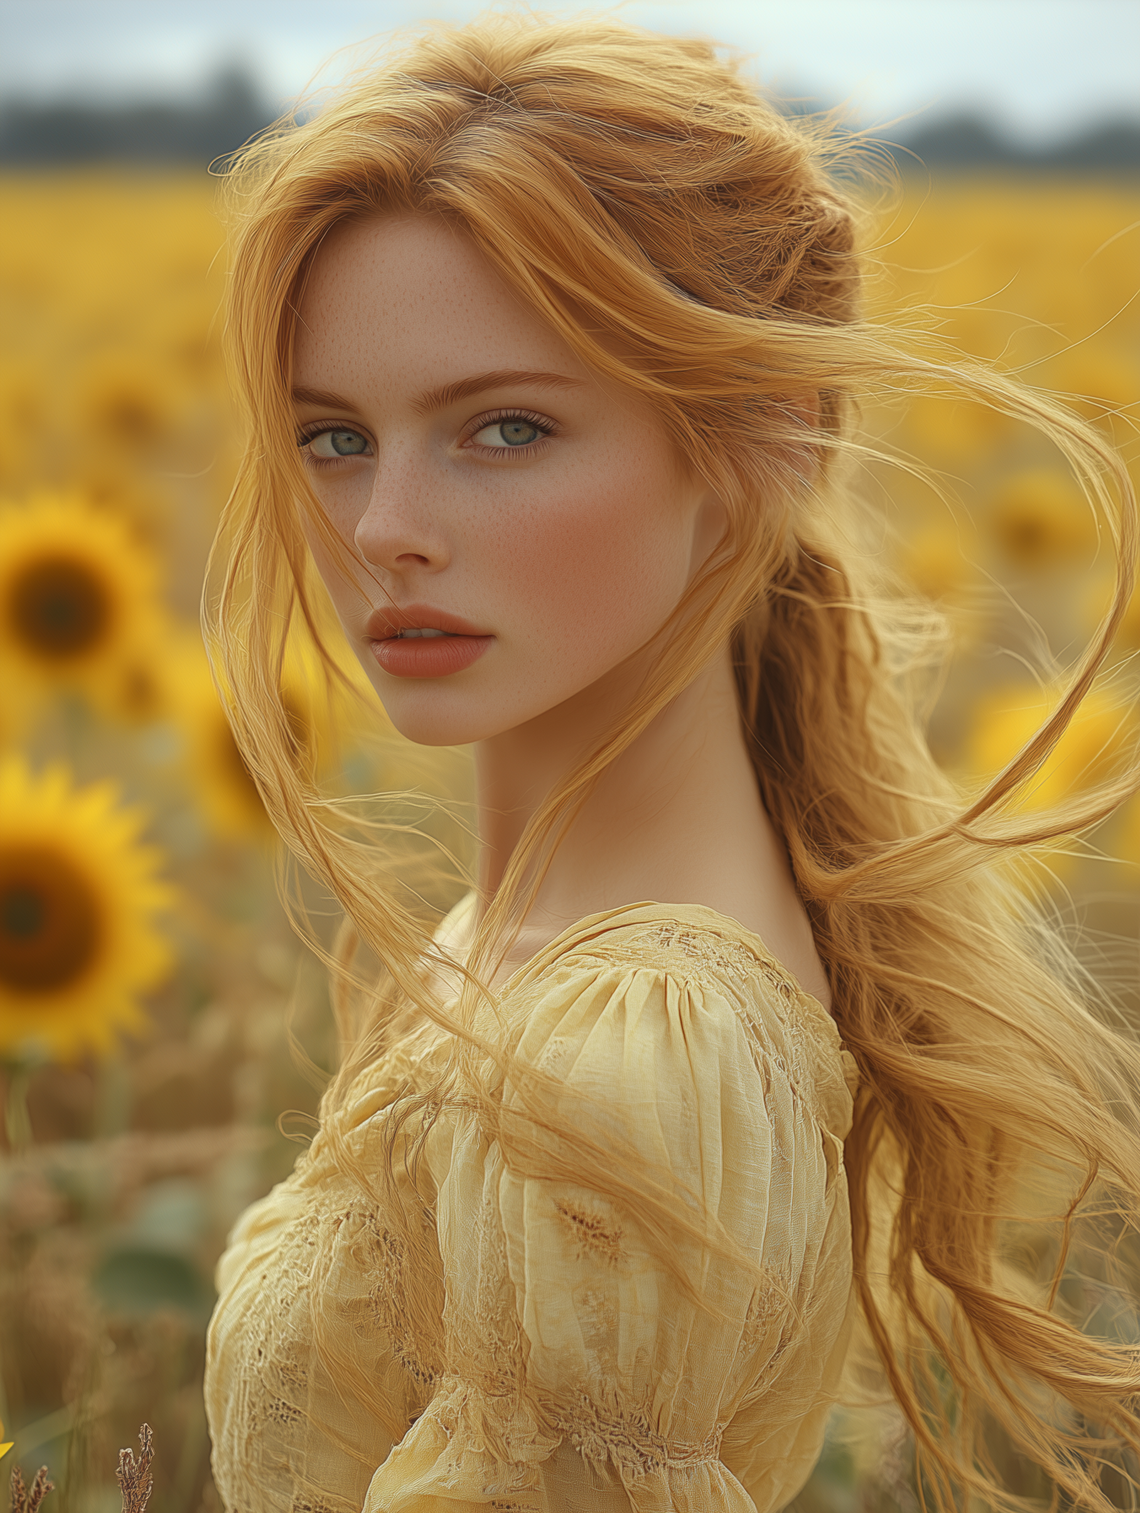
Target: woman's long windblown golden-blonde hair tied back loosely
640,182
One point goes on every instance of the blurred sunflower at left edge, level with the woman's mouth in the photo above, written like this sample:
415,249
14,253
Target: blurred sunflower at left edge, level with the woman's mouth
78,597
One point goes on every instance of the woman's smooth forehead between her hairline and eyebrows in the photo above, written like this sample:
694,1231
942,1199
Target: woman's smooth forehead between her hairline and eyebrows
406,300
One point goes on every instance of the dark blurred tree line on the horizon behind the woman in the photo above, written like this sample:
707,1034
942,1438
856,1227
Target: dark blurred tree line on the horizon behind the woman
42,134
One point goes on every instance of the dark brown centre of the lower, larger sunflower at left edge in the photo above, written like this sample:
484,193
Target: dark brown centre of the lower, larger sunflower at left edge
51,921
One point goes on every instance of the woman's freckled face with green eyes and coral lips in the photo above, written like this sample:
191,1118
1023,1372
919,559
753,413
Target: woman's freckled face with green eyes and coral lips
488,485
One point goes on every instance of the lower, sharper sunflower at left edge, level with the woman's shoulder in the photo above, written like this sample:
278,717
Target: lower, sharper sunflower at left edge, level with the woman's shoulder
78,896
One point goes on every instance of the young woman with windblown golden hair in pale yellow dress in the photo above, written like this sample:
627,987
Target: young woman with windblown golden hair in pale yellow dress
550,347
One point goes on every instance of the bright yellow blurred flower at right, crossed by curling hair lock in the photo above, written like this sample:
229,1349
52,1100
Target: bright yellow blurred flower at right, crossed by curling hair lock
1006,719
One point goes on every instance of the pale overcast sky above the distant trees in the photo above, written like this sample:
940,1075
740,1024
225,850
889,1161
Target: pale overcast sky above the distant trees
1038,67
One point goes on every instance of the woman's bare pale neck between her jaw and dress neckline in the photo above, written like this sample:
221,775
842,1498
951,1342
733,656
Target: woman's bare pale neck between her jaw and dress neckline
676,819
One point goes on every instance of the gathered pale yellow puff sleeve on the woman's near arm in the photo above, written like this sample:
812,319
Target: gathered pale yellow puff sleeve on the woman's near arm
581,1379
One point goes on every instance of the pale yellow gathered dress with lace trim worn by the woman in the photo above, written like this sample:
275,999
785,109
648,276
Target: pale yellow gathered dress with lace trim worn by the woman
568,1372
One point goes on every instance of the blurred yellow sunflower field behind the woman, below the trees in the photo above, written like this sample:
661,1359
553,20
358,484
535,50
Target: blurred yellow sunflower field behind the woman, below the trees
163,1034
